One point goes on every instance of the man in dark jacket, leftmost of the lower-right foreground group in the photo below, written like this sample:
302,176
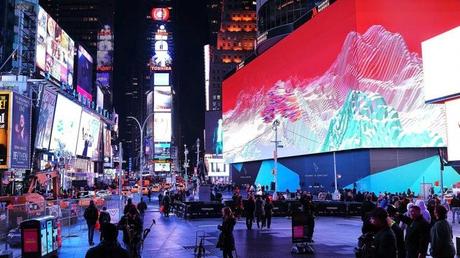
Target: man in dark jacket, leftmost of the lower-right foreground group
384,240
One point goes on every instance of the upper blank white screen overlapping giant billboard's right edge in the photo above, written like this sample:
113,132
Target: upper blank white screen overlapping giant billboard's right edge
441,59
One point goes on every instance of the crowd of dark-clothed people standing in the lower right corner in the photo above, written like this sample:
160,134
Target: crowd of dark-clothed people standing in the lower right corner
400,225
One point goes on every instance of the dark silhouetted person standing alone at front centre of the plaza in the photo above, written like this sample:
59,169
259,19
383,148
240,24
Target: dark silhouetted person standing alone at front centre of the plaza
226,241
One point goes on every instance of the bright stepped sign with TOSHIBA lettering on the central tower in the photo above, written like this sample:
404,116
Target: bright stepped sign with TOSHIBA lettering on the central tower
161,61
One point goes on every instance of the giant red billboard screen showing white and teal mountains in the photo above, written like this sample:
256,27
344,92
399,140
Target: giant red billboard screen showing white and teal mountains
351,77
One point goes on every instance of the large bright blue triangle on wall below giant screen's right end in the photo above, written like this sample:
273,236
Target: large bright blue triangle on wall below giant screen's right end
411,176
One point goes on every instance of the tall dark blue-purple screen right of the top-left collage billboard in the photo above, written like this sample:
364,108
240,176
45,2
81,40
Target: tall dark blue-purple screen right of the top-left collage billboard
85,73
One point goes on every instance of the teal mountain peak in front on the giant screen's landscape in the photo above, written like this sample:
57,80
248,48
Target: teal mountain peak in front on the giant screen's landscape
366,120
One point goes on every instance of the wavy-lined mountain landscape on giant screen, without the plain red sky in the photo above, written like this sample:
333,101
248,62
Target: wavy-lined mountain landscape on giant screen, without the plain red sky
371,96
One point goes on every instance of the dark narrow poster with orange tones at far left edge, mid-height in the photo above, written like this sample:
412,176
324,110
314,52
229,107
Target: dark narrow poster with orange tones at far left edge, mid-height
4,119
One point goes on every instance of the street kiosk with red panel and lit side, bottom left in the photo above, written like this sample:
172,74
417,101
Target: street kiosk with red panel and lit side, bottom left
39,237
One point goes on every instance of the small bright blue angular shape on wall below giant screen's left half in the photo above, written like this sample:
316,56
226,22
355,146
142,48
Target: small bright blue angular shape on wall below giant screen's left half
287,179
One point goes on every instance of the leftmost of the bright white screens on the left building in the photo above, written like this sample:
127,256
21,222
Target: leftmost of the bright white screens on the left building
65,126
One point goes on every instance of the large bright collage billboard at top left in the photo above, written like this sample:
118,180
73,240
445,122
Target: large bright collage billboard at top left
54,51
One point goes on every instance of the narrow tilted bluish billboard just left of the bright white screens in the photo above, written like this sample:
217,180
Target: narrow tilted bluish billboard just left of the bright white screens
45,119
